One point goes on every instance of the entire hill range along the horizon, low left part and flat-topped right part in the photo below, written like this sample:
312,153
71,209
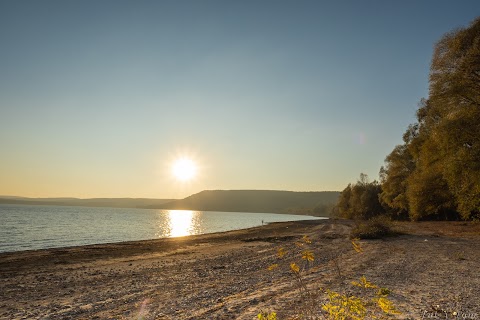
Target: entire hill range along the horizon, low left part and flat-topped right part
308,203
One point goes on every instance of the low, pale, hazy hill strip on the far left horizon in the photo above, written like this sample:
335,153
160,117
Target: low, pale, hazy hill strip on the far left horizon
95,202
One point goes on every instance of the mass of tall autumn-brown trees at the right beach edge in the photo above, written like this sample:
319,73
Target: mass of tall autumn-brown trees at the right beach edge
436,172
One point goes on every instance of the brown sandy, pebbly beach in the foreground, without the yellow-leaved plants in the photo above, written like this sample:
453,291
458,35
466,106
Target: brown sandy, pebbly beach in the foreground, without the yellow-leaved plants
431,270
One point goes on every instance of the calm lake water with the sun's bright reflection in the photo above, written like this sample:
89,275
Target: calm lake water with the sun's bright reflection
39,227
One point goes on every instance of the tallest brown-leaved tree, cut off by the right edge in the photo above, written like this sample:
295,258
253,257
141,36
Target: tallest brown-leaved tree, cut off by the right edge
455,97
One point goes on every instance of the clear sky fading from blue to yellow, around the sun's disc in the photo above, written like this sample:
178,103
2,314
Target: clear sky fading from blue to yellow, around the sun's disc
99,98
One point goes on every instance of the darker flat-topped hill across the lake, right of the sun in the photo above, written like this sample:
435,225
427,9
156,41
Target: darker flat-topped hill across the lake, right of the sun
313,203
